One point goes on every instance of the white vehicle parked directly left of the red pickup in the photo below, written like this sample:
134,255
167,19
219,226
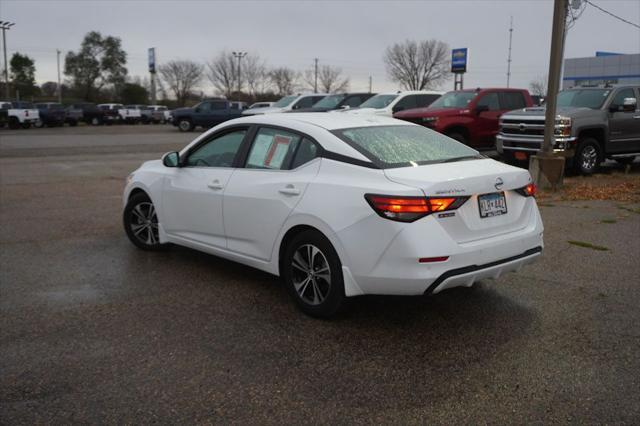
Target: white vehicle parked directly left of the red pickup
388,104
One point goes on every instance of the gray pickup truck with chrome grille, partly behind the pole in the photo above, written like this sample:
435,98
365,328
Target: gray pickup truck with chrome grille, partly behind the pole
592,124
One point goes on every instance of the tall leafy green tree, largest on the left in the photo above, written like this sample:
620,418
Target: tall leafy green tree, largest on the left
100,62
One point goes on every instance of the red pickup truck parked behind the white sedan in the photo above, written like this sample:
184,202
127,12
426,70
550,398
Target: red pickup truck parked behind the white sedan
469,116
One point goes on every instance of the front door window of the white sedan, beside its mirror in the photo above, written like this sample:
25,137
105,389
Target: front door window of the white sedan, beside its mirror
217,152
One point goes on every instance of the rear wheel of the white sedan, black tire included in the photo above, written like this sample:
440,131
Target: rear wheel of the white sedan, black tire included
317,294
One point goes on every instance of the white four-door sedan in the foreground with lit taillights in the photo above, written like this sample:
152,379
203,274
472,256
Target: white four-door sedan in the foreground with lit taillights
339,205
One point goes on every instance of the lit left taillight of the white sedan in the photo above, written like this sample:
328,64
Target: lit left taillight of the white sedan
409,209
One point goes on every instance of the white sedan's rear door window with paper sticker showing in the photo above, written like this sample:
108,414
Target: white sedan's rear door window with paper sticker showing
272,149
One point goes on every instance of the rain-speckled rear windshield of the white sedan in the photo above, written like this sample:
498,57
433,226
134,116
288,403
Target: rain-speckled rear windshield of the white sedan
403,146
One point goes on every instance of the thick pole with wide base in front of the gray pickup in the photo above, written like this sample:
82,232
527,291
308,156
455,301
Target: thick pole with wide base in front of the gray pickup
545,168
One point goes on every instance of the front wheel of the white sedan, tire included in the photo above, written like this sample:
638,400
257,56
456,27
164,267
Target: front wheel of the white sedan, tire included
141,223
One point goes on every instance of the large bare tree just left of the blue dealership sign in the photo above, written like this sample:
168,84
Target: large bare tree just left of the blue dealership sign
418,65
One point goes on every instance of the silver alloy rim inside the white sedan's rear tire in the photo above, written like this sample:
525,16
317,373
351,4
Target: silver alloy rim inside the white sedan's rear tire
311,274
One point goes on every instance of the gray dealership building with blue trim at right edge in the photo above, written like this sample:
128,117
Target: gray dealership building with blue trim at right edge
604,68
